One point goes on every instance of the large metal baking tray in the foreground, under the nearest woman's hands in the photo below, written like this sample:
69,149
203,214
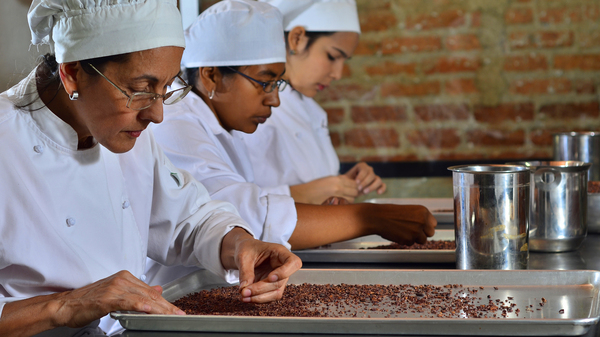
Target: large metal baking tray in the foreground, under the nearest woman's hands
575,291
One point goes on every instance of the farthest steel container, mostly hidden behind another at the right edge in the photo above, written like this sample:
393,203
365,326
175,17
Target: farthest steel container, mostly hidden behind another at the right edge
579,146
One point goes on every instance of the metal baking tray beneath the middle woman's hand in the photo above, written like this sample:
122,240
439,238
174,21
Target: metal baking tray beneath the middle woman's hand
353,251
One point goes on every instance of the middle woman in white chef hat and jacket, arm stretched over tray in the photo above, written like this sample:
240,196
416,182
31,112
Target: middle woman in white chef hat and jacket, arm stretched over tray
235,59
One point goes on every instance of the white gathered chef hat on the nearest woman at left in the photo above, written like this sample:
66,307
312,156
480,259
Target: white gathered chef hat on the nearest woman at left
83,29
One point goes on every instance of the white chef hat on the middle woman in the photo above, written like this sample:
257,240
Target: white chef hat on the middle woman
235,33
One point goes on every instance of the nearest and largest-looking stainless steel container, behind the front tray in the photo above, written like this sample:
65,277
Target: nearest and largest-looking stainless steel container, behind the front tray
491,216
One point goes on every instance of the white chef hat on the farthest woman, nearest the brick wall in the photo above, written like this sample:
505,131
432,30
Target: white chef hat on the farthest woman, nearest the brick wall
319,15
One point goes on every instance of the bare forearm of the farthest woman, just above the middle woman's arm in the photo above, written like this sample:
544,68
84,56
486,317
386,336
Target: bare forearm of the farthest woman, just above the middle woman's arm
317,191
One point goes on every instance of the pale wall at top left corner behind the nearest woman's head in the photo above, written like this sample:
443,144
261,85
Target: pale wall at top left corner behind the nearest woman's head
17,58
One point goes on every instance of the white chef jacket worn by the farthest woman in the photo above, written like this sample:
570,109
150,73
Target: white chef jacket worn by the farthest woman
293,147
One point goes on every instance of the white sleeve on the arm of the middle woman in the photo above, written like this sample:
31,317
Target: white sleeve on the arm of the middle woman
272,217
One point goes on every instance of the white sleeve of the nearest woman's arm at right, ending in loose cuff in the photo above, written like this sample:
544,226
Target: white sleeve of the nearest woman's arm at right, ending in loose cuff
187,227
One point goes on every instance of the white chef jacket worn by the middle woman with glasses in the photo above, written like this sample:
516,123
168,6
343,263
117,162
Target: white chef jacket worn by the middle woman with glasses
193,139
